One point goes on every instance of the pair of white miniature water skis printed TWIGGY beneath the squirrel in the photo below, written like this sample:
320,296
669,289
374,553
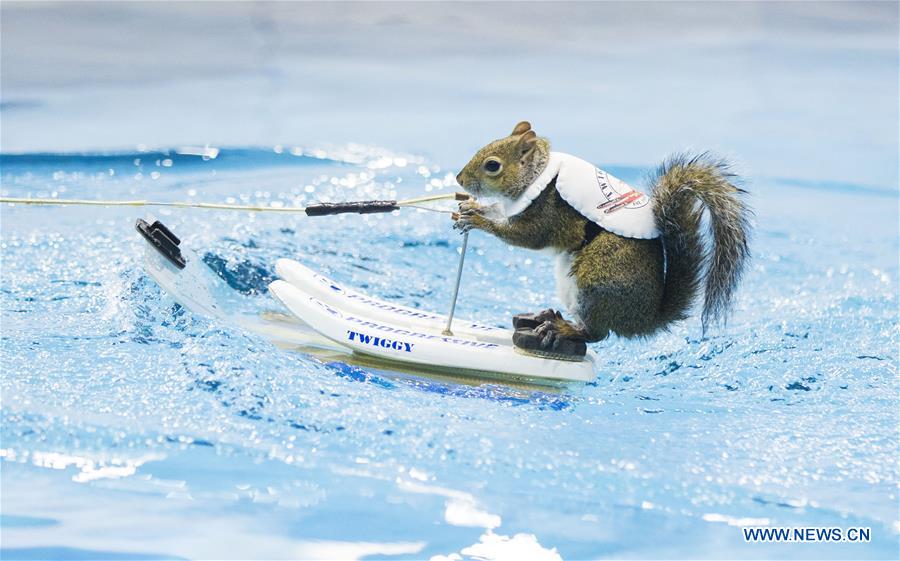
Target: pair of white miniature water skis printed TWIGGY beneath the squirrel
334,323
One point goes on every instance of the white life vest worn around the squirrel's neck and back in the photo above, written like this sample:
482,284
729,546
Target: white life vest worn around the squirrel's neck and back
600,197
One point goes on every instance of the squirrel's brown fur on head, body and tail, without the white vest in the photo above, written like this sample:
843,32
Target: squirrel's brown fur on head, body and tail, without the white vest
628,286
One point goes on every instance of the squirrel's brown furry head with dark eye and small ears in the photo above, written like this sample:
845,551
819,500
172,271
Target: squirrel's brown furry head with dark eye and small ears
507,166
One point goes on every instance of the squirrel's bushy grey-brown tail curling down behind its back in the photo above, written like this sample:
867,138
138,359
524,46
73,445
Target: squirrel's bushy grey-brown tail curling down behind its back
679,183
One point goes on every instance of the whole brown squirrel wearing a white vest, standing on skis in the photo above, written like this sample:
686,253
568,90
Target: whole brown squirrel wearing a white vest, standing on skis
633,284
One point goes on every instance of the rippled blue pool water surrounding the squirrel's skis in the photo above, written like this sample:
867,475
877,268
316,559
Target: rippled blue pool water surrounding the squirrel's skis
134,429
